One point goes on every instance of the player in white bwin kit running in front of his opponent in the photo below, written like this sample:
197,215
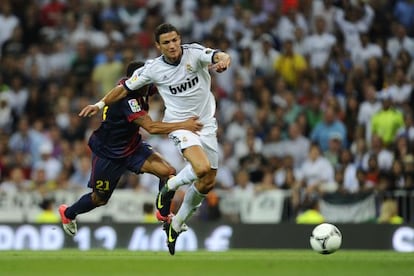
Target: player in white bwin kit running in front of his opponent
181,75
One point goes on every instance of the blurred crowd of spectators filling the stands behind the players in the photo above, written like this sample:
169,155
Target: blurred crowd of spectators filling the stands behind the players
319,97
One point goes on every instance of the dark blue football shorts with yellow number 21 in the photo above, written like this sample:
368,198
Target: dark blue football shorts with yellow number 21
106,173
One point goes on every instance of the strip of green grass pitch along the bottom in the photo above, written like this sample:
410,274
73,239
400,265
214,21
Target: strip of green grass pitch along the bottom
199,263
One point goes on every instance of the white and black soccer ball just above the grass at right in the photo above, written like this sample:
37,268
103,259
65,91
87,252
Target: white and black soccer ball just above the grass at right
326,238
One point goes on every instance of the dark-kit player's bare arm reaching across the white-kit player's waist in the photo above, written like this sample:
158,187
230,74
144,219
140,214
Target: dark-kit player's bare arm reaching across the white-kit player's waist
155,127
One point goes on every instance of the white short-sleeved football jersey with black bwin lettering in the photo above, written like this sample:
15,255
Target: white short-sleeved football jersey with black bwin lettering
185,88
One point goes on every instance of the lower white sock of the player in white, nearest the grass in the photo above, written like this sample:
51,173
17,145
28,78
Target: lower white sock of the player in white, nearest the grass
192,200
